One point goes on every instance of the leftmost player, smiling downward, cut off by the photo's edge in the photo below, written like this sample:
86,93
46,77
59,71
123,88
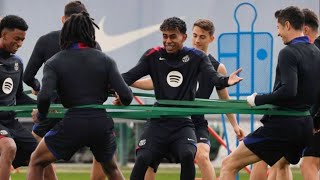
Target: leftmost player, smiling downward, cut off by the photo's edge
16,142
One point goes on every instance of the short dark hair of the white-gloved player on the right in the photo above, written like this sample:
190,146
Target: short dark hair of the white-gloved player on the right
291,14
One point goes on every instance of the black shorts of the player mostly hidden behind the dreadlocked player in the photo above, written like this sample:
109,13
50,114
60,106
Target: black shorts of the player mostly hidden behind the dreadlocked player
44,126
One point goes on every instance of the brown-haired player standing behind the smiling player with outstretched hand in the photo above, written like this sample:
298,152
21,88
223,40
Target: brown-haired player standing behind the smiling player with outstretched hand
202,36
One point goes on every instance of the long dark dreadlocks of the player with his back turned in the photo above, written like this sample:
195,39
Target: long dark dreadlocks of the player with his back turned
78,28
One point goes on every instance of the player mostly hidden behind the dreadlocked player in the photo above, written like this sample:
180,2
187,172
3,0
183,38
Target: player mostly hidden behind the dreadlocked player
46,46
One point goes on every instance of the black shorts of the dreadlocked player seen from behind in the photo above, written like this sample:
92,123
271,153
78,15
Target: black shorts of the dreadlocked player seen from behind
79,128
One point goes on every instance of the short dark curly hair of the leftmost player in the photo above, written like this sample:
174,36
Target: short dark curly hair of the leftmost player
13,22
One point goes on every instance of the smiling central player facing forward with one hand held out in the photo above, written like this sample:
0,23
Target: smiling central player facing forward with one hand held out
173,70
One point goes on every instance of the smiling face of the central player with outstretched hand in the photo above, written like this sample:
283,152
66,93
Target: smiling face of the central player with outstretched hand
173,40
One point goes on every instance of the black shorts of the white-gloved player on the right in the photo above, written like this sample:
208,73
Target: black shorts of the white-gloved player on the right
280,136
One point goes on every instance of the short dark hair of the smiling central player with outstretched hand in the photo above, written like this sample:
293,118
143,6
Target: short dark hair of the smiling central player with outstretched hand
174,23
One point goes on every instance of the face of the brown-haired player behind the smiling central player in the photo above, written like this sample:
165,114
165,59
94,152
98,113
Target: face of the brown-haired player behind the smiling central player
201,38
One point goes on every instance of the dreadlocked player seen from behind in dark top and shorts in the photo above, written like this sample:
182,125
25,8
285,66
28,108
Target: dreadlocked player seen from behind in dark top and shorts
80,126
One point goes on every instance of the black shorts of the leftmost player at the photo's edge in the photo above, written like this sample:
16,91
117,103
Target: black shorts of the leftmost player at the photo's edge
23,138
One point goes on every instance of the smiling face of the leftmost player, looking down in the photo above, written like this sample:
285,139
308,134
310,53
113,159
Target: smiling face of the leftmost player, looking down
12,40
